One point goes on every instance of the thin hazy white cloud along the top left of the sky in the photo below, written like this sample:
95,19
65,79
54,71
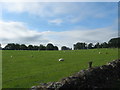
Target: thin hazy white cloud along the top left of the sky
37,8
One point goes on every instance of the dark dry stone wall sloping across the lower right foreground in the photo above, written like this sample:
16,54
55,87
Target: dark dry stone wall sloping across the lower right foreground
97,77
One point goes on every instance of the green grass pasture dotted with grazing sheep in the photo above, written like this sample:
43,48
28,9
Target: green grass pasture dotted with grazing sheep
24,71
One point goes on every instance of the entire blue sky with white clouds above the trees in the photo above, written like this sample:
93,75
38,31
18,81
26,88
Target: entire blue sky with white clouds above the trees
60,23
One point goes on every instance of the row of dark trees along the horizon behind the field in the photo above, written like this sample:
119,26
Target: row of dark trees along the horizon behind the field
112,43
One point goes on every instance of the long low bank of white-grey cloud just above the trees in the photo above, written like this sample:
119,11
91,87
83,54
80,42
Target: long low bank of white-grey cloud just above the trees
18,33
